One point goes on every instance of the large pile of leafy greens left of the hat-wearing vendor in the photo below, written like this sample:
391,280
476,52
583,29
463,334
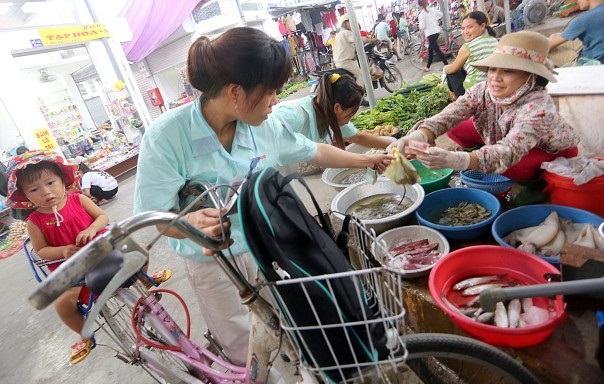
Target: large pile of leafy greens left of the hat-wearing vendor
404,110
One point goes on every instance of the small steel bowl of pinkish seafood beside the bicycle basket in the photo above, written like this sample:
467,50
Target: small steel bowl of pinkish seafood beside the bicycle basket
394,236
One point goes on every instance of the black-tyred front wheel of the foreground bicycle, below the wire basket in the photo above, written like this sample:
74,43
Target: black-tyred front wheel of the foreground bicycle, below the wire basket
446,358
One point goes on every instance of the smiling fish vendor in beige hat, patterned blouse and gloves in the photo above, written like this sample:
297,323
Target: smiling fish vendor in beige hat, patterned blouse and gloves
515,121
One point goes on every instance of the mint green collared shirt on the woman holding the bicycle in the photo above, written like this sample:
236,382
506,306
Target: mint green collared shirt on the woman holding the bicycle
180,146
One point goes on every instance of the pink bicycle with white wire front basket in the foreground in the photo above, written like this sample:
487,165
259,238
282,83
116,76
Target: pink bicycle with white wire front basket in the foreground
150,338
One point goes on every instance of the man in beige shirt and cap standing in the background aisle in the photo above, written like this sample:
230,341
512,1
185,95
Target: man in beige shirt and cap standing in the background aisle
344,52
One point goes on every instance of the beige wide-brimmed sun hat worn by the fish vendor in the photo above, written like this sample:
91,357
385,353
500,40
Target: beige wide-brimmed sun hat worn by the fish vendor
525,51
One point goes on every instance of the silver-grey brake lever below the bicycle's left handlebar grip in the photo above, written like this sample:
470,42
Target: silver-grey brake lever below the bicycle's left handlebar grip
131,265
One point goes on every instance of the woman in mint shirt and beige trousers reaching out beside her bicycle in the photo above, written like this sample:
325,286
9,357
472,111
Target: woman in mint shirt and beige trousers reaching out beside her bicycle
224,136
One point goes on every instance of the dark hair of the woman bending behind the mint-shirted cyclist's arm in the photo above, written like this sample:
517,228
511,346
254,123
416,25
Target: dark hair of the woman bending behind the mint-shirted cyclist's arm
335,89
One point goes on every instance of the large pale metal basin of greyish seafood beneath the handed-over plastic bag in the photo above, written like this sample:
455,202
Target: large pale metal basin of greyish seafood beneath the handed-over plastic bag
353,193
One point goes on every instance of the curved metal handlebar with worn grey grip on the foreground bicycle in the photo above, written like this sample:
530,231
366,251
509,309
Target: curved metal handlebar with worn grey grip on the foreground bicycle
75,268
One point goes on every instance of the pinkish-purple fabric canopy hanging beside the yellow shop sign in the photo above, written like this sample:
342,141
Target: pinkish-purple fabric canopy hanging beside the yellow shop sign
152,22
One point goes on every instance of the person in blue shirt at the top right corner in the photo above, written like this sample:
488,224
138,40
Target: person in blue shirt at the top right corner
587,27
